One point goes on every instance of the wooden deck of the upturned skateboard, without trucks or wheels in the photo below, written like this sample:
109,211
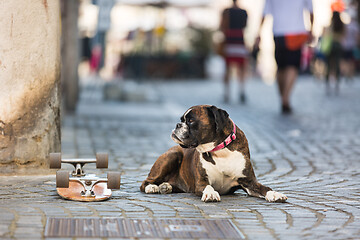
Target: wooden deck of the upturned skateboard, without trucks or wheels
73,192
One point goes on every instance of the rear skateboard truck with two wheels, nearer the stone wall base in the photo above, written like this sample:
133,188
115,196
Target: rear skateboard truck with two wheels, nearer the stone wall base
101,161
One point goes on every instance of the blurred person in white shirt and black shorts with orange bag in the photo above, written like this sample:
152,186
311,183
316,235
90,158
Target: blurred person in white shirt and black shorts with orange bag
290,35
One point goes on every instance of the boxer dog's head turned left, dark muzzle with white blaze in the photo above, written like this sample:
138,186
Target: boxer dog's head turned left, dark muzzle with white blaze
201,125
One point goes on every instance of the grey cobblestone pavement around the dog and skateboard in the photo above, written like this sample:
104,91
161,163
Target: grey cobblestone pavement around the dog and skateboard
312,156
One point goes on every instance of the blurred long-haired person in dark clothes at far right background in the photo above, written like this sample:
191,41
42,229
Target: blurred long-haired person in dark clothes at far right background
336,33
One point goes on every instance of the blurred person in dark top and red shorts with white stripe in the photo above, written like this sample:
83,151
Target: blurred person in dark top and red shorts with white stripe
233,22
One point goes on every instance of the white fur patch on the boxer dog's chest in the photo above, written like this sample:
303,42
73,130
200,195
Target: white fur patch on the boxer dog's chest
224,174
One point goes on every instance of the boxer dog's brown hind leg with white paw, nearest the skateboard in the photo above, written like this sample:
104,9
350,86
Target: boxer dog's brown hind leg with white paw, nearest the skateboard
162,171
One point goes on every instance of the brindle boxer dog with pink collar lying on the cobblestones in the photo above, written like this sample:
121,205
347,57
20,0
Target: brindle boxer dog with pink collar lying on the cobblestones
213,159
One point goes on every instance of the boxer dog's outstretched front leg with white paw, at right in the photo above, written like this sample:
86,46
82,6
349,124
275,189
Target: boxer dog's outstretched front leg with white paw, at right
256,189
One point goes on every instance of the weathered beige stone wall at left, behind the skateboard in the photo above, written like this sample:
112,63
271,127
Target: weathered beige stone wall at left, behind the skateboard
30,84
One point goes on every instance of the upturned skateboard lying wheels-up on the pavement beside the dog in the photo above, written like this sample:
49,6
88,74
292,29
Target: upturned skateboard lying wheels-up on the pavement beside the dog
78,185
